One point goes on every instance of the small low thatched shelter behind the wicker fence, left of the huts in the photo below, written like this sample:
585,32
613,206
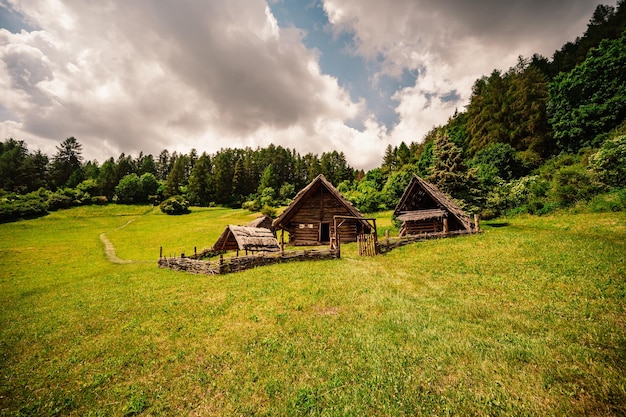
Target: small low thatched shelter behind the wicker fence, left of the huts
249,239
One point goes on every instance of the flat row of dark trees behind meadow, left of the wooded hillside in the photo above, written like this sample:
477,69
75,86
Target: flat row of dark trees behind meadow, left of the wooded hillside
262,177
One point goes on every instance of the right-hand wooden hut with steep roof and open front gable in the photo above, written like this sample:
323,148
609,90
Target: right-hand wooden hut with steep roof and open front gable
425,209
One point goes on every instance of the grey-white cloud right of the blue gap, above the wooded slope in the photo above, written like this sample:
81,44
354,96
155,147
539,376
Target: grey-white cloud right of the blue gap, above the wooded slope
451,43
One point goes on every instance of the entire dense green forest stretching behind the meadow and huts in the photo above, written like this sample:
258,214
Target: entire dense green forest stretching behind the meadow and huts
548,133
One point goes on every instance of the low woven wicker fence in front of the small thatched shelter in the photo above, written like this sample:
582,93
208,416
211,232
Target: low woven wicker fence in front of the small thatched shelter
241,263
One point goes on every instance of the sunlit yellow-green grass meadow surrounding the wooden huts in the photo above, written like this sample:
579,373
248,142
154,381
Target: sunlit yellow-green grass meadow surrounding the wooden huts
525,319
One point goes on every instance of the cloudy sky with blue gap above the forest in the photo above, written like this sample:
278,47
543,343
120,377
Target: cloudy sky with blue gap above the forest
314,75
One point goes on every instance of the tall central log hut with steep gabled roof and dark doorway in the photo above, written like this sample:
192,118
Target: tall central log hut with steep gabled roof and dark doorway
309,219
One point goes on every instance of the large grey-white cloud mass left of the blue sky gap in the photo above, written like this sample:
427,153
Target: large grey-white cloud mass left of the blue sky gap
140,76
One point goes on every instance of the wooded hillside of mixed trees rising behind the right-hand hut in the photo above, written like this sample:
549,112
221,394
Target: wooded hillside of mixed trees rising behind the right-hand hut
545,134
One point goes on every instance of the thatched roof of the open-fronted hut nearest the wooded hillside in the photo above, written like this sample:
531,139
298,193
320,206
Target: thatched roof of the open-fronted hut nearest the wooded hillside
409,205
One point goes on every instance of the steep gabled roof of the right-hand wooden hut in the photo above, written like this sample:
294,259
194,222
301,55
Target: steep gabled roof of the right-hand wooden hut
416,184
